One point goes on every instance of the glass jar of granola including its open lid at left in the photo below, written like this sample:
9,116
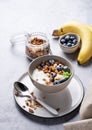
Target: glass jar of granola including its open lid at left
36,44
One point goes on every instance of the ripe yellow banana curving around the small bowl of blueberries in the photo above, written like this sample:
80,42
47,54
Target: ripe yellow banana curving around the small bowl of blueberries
85,33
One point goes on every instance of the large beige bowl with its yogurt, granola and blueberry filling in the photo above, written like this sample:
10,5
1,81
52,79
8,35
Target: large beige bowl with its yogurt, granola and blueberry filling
50,73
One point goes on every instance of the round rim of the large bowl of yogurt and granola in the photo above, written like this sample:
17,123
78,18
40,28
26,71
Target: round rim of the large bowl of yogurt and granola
51,56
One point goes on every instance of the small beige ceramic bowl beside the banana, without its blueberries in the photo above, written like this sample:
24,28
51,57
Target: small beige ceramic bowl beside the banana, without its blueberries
71,49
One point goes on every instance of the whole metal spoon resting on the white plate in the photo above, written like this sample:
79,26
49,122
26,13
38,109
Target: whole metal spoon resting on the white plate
23,91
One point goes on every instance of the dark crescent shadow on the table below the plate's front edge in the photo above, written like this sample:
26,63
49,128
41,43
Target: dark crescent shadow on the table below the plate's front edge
49,121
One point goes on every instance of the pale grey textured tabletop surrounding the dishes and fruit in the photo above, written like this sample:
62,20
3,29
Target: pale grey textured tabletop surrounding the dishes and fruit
18,16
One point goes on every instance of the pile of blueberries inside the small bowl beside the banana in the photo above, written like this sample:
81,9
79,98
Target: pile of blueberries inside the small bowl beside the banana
69,40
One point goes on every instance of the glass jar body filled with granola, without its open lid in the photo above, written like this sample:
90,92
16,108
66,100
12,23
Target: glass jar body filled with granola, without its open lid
37,45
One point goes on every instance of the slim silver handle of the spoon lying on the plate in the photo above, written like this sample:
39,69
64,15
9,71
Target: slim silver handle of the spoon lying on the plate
47,107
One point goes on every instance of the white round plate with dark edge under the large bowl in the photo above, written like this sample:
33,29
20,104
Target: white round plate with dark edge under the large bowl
66,100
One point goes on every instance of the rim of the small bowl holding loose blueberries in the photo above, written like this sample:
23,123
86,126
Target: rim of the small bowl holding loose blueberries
78,37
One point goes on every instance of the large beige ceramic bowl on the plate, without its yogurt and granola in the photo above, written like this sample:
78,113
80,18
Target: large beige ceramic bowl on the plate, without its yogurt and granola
53,88
